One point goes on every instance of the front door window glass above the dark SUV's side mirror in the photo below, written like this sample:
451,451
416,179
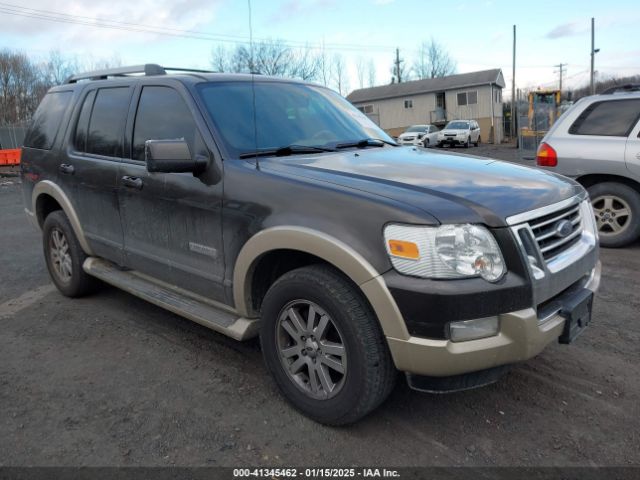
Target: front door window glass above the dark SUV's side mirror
162,115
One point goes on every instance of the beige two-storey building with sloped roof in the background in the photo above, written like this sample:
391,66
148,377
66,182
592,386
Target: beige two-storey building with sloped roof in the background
466,96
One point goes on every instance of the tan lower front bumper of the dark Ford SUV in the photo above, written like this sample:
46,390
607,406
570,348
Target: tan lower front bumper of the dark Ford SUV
522,336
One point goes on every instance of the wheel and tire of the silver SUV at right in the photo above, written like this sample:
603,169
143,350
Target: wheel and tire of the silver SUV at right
617,210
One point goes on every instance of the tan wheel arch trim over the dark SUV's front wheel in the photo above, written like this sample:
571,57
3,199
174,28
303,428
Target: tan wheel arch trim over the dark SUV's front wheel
330,249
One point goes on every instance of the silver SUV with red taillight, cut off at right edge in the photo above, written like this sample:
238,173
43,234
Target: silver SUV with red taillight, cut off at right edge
597,142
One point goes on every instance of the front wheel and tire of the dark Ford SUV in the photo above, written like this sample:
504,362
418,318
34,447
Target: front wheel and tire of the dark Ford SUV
368,373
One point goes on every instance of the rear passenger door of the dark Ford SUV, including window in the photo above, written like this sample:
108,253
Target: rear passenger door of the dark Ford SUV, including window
94,152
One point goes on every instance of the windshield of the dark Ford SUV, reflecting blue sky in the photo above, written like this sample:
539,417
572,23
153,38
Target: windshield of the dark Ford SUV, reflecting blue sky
285,114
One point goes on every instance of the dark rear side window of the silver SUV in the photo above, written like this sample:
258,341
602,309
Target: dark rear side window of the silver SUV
614,118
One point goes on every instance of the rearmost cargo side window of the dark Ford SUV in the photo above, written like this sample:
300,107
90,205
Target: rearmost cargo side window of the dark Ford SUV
47,120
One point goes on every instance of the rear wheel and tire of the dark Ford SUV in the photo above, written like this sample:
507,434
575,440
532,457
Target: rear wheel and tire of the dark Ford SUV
64,257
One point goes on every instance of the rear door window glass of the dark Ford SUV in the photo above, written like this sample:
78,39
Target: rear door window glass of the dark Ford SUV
106,126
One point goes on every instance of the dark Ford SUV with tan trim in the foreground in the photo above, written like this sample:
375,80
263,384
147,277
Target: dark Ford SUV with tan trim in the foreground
295,218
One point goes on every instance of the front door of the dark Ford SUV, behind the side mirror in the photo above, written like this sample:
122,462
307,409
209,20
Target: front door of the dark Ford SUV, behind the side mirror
171,221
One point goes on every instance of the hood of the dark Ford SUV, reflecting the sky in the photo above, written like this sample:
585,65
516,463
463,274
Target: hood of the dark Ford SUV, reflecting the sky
453,188
